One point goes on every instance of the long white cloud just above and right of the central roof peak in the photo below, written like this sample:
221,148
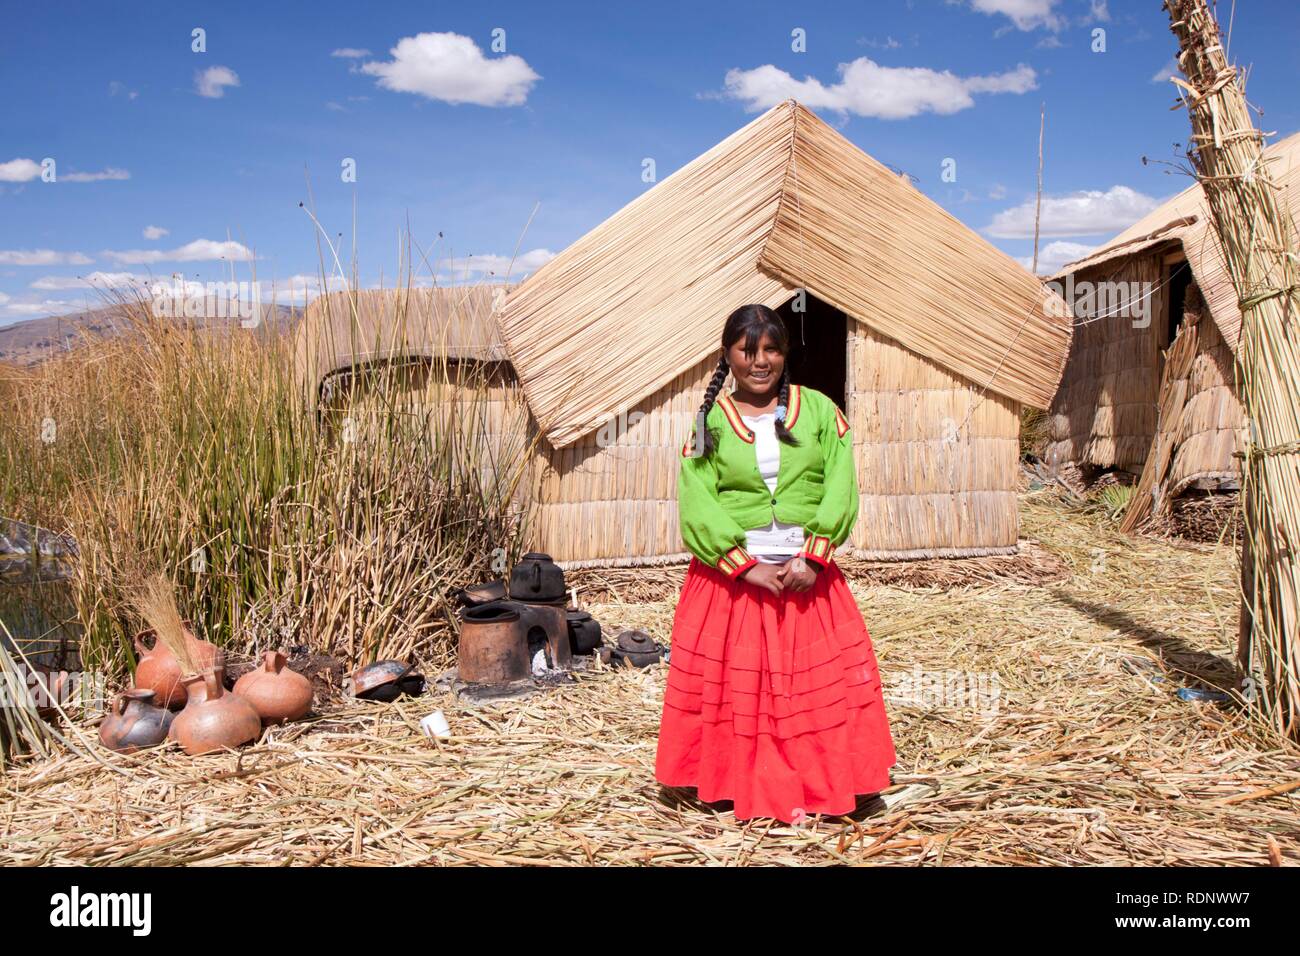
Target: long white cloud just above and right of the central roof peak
869,89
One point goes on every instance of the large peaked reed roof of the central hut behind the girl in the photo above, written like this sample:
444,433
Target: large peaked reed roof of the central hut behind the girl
783,204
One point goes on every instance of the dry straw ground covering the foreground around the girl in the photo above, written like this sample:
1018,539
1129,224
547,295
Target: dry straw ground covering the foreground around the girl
1087,756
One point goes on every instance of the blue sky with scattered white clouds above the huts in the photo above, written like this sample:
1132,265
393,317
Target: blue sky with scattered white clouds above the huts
174,161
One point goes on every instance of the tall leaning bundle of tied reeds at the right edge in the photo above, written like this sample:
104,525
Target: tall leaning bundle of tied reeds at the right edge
1260,249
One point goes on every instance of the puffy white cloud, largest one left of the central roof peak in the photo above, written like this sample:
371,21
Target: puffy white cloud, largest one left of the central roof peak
452,68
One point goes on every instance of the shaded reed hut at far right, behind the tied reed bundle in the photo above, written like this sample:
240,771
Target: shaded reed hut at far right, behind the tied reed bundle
1133,387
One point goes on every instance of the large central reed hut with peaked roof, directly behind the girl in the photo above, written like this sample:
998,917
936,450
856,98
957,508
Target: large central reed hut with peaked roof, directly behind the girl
929,338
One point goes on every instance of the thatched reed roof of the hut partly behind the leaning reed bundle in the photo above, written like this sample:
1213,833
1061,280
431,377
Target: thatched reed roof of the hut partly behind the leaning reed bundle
1186,219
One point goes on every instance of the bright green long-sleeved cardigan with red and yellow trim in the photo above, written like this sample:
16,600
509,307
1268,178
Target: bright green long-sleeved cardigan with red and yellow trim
722,495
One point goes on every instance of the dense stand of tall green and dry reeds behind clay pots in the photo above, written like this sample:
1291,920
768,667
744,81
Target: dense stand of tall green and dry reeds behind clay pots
197,452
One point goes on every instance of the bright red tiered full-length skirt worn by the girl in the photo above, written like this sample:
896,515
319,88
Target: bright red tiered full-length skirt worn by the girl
773,703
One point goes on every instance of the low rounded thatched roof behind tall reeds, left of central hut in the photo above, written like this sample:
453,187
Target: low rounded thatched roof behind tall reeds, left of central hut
343,331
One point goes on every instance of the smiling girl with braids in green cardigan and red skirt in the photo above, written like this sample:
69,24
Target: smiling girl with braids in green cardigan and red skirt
774,697
